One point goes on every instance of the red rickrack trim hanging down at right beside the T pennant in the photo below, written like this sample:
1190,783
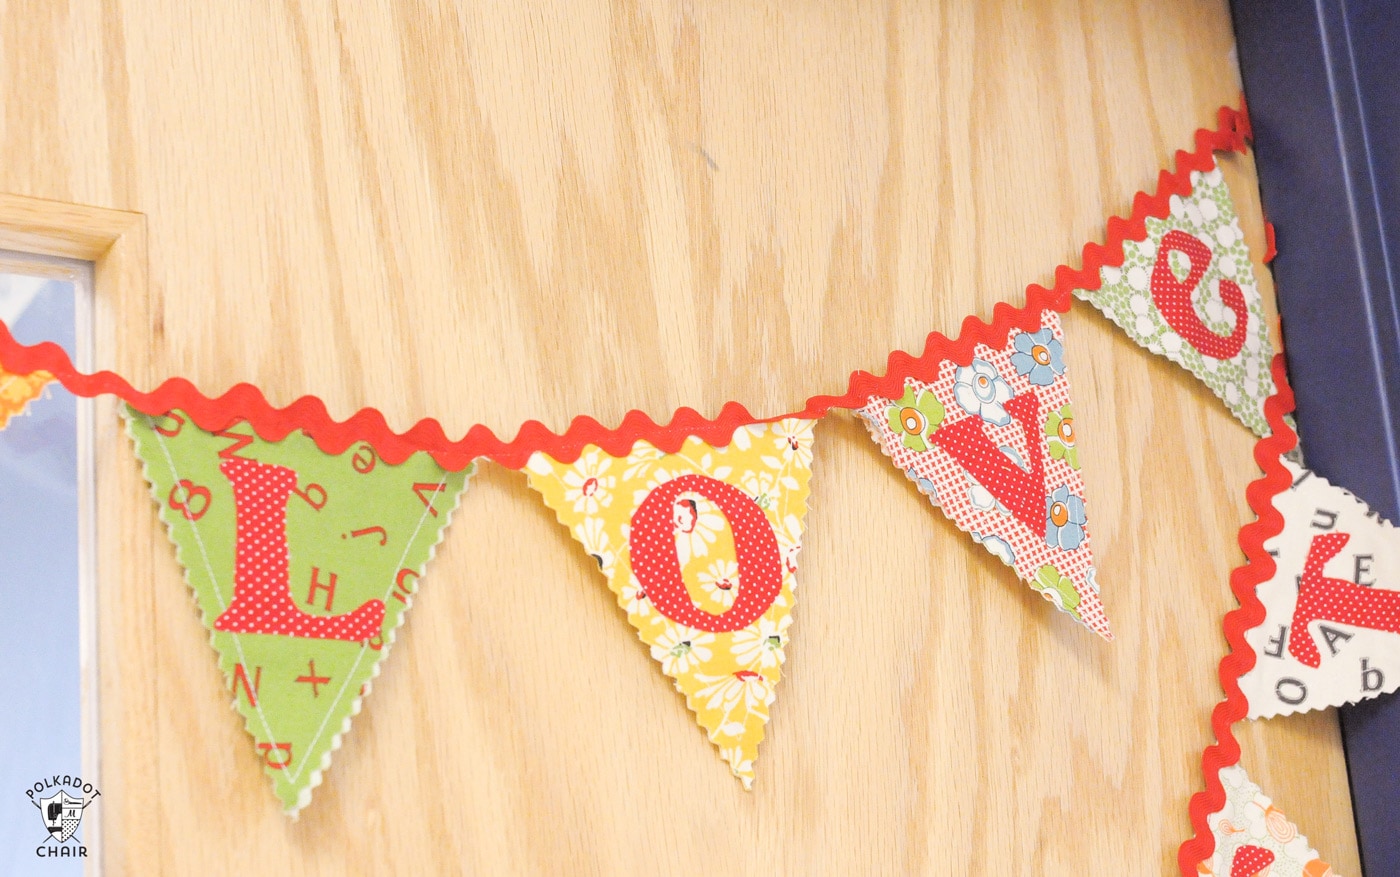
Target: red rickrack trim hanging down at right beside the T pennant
1258,569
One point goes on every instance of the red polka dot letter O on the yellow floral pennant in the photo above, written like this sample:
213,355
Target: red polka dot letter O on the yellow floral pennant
657,565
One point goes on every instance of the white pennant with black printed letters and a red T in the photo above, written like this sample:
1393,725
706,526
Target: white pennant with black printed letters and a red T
1332,627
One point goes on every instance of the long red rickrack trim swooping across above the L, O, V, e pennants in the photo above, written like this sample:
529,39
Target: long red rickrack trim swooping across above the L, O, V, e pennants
309,414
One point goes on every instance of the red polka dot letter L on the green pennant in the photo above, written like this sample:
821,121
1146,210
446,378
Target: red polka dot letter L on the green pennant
262,598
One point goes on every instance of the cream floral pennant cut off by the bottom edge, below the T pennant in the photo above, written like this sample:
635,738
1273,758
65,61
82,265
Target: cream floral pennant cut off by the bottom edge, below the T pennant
1255,840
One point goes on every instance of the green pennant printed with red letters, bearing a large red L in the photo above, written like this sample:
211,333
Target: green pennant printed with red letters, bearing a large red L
303,567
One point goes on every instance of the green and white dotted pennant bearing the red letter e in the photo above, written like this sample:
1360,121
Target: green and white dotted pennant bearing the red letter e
1188,292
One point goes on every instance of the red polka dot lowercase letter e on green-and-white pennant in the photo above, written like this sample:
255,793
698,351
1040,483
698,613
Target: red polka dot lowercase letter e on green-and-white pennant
1174,298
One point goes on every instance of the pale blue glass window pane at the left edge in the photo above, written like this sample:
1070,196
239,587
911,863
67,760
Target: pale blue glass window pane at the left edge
40,637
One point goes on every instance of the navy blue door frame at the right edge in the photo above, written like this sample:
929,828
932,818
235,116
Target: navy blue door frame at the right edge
1322,79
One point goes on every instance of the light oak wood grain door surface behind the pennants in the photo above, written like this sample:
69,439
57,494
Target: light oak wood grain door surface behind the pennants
499,212
